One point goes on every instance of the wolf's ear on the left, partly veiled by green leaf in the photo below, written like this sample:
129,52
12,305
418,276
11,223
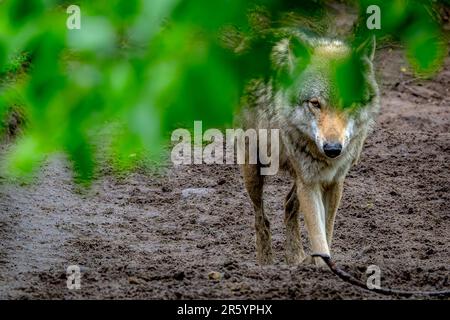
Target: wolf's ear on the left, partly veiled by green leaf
288,53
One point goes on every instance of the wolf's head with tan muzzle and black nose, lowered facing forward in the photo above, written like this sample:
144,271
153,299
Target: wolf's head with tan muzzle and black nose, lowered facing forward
325,89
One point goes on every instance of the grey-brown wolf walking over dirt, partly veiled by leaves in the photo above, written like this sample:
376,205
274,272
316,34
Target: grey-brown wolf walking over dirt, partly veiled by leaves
321,134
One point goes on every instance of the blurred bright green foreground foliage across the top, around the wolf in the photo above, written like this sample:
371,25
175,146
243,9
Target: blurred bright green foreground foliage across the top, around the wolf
137,69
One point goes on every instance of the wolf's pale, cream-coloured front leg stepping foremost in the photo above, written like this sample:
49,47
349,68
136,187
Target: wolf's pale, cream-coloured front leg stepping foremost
311,205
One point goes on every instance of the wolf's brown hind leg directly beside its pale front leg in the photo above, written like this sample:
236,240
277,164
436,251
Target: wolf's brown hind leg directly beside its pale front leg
293,246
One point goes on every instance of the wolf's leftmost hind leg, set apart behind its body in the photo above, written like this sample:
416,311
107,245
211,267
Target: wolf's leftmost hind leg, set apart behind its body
254,183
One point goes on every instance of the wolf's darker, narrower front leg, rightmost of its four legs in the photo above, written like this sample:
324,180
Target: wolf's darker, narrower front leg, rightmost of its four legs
332,198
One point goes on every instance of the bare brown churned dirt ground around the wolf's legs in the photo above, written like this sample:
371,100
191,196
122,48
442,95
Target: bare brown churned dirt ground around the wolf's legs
160,237
